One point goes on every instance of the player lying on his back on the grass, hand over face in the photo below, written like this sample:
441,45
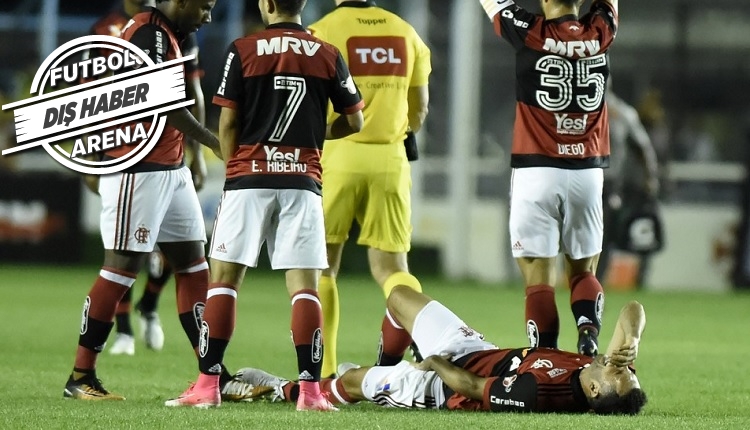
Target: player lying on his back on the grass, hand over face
462,371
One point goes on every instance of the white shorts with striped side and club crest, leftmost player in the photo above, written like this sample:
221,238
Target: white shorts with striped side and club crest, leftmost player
141,209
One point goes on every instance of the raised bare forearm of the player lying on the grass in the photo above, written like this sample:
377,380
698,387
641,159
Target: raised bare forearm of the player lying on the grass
623,348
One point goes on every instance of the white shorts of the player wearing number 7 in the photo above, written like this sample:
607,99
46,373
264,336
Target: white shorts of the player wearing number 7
289,221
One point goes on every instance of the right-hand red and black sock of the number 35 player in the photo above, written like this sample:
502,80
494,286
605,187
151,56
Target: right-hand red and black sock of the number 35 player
587,301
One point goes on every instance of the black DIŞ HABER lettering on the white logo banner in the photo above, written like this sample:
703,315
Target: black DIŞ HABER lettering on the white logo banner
95,105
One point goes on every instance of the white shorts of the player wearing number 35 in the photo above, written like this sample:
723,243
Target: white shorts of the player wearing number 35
554,210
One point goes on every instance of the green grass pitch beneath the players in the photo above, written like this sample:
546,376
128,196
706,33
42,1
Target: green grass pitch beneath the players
694,362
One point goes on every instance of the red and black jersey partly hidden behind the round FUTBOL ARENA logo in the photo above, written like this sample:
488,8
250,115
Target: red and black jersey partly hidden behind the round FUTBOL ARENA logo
156,36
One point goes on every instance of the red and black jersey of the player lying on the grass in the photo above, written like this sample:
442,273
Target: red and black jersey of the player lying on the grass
525,380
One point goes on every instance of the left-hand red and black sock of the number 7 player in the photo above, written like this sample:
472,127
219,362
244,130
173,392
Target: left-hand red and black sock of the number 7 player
216,328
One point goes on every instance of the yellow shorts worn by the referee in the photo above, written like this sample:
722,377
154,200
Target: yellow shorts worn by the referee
372,184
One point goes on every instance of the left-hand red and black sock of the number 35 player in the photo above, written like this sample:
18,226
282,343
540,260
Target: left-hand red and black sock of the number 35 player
542,320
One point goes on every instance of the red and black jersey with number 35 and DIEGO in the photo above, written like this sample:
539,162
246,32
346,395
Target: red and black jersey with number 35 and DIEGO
562,68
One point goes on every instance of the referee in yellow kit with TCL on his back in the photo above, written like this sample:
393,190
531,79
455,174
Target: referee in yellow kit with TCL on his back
367,176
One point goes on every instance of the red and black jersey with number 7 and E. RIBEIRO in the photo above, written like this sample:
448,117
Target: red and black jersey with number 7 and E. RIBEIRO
280,80
